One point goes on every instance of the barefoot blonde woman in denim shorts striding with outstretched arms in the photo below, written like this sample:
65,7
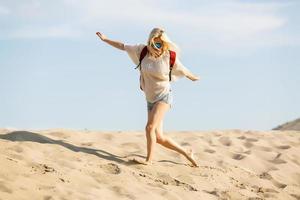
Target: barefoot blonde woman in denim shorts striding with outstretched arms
154,81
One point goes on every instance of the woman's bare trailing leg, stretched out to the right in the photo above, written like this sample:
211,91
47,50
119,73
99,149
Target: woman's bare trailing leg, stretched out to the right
171,144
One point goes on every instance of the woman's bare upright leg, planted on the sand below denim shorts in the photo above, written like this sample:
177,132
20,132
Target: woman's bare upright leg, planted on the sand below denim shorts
154,117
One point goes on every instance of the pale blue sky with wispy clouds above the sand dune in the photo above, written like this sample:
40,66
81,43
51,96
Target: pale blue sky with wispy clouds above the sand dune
55,72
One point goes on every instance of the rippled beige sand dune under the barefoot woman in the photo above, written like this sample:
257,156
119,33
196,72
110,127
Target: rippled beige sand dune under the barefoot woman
87,165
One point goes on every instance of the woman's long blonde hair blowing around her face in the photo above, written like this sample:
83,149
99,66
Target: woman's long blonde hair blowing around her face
167,43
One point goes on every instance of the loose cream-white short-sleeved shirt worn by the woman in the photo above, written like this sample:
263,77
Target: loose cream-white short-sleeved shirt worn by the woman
155,71
